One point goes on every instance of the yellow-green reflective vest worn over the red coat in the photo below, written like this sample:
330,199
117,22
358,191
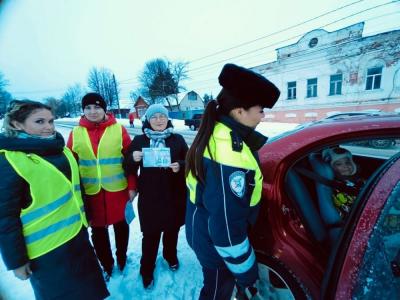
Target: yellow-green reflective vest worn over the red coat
104,171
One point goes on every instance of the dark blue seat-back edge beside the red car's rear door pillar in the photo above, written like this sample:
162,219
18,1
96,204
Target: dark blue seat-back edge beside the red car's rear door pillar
305,206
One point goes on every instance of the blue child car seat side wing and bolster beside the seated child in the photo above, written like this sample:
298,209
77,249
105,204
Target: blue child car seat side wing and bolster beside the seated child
327,209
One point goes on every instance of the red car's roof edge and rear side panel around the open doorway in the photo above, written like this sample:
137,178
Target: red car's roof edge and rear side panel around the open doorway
285,237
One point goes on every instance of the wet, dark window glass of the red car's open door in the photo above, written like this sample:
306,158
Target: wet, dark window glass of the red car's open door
378,277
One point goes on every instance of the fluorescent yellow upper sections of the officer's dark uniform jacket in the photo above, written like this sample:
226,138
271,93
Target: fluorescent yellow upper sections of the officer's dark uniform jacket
221,148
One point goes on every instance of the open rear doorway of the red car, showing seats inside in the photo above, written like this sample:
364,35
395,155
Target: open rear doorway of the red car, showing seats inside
325,199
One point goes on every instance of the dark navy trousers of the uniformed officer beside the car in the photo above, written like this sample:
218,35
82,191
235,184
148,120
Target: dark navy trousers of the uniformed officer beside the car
217,284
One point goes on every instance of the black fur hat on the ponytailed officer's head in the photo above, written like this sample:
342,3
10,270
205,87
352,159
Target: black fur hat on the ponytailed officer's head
248,87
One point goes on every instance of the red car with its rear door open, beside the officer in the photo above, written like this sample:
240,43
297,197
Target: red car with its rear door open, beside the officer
302,254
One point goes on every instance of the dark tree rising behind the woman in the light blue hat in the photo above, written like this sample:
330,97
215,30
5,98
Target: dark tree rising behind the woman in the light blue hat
160,79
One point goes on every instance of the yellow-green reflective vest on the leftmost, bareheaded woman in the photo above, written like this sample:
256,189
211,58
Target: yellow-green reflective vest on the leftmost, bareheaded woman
56,213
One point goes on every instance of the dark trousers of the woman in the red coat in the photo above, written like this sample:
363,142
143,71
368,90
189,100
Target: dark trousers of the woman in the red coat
101,243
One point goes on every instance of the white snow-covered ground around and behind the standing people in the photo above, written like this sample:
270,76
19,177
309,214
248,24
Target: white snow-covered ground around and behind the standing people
182,284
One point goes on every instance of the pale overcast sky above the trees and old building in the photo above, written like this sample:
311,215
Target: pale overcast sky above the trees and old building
48,45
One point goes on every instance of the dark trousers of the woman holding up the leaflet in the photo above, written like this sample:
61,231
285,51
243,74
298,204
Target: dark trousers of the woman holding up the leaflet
150,243
